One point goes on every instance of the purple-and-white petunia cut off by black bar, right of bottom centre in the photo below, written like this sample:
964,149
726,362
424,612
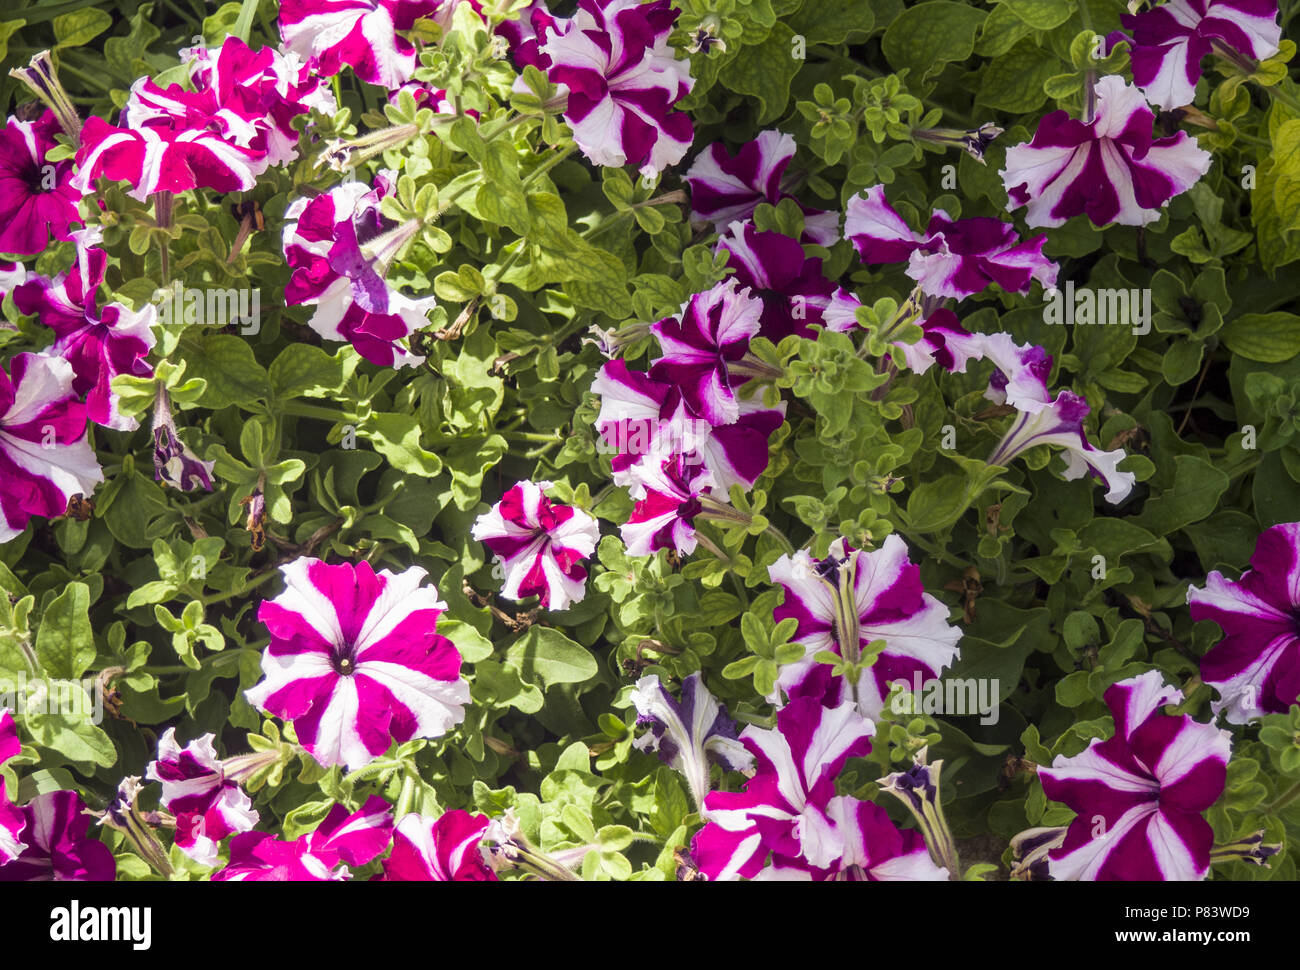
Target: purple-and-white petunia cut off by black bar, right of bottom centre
876,851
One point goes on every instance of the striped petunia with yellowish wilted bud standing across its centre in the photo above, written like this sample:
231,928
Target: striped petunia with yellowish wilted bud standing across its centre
857,597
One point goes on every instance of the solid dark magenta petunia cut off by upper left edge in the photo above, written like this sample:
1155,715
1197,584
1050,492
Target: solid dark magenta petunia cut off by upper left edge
37,198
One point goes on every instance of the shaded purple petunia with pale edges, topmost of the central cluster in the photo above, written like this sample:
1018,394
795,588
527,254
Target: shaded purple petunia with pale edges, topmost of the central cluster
727,189
